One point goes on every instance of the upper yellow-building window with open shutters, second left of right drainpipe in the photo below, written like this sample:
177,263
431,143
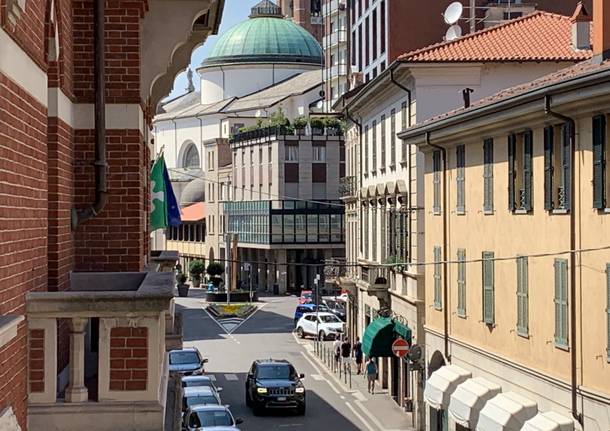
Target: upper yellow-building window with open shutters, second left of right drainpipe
520,148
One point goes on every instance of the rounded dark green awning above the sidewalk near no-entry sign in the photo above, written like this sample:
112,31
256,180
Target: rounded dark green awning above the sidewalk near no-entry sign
380,334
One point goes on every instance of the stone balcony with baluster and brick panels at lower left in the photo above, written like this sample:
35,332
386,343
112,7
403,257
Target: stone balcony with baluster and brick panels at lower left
117,352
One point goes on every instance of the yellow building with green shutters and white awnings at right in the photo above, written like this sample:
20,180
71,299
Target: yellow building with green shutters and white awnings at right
517,326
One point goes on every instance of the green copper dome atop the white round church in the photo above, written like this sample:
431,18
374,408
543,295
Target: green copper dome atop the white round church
265,40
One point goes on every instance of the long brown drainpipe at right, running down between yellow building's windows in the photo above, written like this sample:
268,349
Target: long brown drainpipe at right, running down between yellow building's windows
549,111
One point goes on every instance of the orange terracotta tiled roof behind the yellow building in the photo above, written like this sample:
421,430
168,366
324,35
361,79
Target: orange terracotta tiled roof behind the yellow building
539,36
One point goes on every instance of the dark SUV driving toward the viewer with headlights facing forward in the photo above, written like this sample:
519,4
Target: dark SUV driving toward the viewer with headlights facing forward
274,384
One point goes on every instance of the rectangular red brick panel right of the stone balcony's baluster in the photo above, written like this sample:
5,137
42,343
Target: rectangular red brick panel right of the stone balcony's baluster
128,359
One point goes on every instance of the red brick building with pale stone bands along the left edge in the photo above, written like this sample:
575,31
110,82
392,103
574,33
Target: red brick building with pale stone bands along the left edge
67,204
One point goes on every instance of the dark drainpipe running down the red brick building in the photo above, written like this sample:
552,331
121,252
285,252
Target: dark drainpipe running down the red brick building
101,182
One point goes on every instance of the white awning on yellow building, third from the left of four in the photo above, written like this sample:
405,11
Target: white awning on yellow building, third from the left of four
506,412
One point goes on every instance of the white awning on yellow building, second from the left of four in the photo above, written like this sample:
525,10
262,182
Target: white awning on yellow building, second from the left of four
469,398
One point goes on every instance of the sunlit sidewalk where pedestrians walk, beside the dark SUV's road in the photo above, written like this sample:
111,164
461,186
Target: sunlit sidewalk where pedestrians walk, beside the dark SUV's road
381,409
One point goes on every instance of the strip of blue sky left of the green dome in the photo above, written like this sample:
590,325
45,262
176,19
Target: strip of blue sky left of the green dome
235,11
